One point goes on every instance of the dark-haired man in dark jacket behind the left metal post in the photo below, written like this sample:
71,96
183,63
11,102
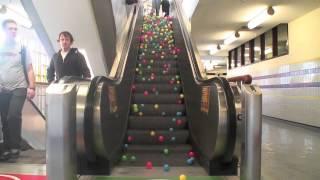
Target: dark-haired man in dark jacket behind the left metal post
67,61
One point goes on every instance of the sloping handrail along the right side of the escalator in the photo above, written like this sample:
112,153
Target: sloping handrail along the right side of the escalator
192,51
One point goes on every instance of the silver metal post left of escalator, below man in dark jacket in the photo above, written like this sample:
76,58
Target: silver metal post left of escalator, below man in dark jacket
61,156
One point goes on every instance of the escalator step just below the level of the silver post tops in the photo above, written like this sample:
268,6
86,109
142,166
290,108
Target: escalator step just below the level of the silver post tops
161,88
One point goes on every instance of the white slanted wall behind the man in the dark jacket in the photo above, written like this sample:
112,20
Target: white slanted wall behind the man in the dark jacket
77,17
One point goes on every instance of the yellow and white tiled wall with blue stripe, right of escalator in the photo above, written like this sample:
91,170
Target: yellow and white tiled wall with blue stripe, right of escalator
291,83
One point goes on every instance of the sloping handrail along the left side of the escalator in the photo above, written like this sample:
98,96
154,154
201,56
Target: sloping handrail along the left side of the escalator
117,78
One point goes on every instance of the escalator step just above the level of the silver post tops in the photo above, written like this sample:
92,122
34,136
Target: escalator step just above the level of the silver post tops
169,79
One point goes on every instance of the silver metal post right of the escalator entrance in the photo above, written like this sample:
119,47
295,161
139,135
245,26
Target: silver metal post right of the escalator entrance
251,99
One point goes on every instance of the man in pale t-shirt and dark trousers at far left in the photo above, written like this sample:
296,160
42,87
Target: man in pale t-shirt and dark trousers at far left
16,83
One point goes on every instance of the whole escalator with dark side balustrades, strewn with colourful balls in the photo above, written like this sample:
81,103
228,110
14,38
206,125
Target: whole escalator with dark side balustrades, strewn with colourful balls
158,111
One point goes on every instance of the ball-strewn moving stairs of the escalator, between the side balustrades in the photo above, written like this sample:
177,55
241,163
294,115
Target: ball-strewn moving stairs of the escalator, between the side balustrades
157,131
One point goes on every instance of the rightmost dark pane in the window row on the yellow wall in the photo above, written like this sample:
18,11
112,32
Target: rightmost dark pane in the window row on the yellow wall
283,44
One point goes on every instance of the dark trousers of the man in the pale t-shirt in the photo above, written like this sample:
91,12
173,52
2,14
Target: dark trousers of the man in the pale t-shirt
11,104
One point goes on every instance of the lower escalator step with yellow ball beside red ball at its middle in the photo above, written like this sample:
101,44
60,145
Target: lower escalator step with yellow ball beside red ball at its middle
144,137
